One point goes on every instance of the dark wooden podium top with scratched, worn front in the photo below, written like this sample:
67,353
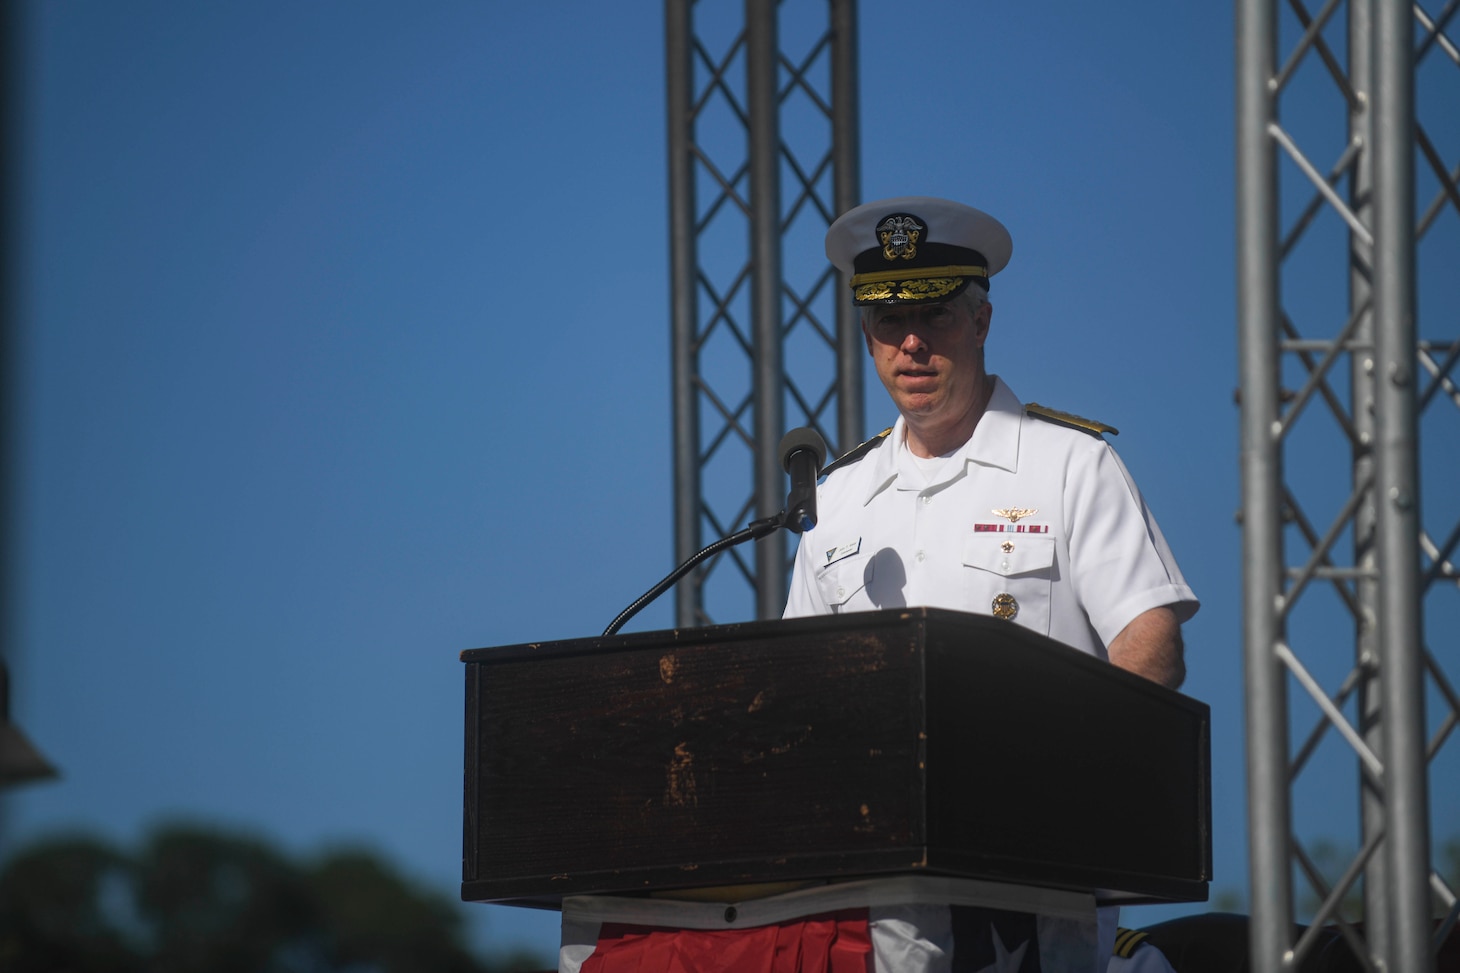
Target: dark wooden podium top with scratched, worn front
904,741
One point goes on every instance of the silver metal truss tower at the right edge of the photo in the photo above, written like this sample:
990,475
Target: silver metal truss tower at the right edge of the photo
1347,248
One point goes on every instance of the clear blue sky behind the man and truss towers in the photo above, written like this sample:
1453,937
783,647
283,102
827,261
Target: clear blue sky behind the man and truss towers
345,347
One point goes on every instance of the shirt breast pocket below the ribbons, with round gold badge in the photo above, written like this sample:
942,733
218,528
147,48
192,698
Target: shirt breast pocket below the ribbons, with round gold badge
1014,584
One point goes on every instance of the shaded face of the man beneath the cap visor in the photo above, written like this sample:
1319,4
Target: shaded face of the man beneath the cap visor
929,357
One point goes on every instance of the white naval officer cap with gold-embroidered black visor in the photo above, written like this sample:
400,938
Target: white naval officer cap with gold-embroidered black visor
916,249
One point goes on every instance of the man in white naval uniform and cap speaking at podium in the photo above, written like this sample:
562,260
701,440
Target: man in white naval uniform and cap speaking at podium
976,502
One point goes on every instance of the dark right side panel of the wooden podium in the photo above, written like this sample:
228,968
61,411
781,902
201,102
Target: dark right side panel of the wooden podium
1045,760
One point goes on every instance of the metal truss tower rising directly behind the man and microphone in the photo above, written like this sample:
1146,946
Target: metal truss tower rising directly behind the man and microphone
763,156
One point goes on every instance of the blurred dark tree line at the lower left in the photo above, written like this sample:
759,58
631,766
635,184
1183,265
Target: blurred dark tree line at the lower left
193,901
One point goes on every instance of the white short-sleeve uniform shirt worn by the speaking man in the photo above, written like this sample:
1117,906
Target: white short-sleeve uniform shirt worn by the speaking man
1033,516
